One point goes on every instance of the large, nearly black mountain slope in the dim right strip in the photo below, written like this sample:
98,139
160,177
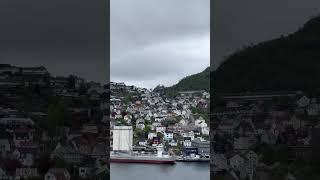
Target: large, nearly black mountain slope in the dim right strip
287,63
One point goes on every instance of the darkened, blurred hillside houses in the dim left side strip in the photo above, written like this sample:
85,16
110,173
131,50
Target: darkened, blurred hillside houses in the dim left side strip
52,127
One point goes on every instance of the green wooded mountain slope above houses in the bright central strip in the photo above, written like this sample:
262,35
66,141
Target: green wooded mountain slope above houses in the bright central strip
199,81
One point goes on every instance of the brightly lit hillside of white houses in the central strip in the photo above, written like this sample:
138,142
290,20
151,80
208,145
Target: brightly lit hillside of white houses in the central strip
180,124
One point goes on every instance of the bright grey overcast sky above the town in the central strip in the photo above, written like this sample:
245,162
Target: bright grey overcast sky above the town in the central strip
158,42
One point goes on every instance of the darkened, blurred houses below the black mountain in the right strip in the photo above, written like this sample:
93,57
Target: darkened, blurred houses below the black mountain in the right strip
265,136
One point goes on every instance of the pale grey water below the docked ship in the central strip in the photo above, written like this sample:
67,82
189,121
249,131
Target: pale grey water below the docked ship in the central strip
178,171
